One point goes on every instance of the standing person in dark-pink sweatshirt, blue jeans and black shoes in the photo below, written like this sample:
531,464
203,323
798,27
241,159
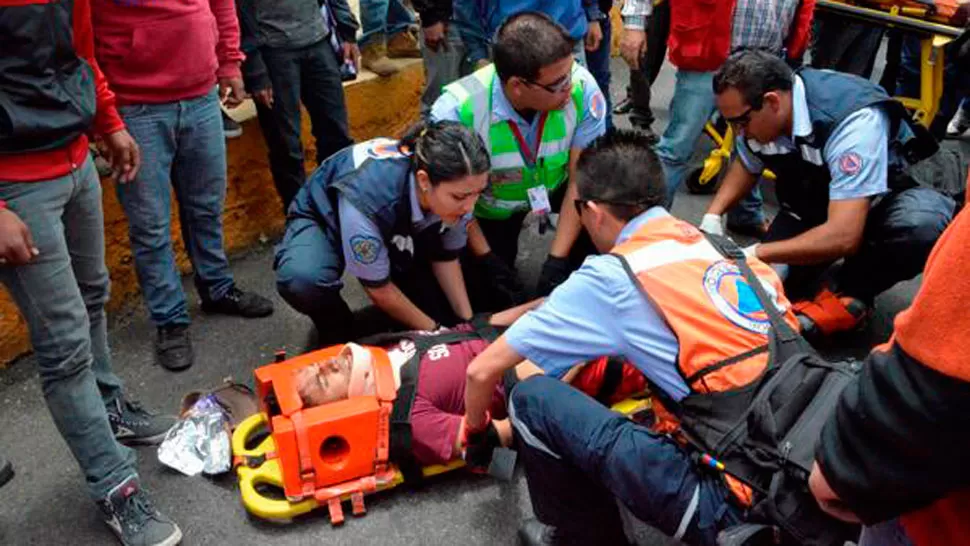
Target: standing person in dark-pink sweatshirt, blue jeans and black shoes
164,59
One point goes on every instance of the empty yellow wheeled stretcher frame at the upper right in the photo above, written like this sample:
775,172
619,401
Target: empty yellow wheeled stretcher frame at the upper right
933,37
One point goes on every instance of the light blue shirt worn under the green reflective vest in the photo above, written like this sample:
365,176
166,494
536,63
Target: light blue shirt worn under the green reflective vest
592,120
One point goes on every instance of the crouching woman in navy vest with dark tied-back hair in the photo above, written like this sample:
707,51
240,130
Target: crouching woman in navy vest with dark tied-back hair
394,215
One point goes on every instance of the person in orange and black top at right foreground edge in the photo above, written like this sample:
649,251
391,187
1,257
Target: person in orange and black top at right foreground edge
893,454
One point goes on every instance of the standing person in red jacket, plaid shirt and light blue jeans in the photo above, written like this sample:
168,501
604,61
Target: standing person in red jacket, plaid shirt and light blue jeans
702,34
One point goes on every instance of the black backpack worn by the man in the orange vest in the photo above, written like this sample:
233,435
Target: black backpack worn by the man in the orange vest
765,433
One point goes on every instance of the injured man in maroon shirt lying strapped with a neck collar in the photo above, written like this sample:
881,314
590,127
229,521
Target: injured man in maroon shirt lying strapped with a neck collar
436,416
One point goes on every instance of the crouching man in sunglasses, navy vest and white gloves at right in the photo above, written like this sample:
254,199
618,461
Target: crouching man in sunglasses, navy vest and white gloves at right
831,139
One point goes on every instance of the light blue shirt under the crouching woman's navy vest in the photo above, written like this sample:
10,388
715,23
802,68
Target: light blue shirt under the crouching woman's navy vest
359,233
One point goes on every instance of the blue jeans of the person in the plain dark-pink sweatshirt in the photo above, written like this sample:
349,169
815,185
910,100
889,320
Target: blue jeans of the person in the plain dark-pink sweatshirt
183,147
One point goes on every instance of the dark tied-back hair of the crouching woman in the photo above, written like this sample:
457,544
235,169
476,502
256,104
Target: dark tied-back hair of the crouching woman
446,150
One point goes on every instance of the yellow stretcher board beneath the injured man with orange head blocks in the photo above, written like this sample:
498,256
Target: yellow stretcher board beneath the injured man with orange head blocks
260,473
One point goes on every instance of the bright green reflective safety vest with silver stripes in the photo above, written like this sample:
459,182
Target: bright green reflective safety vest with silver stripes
511,176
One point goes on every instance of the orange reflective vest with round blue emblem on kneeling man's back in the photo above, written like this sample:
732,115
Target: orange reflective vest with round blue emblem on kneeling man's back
721,328
